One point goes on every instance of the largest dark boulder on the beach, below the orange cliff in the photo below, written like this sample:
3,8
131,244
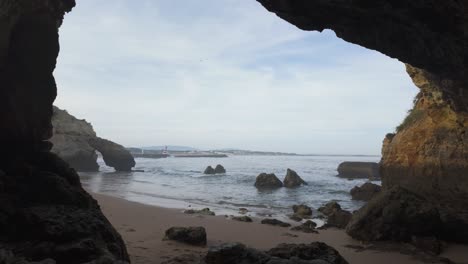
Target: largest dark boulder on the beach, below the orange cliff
399,214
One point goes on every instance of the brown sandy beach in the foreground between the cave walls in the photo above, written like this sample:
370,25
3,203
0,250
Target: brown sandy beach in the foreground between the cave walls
142,228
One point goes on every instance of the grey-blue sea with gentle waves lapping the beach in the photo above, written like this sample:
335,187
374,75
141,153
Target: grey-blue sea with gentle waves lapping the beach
180,183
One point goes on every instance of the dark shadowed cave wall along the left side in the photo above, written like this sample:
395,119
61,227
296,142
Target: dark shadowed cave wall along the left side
44,211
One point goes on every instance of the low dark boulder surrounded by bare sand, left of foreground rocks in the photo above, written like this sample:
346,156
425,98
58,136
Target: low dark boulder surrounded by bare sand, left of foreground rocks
189,235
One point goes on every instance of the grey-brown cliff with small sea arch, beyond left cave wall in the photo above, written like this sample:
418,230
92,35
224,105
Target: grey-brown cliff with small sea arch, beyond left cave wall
76,142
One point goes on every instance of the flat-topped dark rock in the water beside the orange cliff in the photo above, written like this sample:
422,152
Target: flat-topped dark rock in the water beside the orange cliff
359,170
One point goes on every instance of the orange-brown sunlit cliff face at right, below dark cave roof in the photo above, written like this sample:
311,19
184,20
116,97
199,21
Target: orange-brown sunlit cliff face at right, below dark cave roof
429,153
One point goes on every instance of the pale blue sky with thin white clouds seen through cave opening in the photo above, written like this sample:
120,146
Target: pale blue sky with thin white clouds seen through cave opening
224,74
